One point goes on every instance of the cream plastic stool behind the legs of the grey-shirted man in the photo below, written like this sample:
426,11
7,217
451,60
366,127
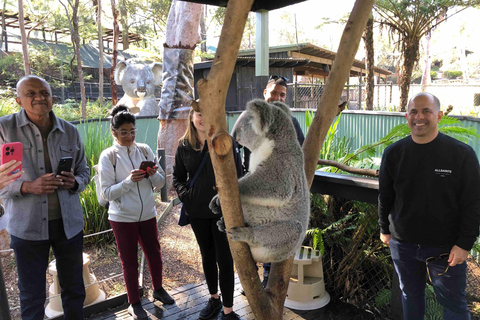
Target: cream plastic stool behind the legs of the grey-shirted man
93,293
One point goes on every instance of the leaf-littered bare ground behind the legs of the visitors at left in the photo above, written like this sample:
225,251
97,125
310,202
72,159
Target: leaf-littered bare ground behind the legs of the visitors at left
182,262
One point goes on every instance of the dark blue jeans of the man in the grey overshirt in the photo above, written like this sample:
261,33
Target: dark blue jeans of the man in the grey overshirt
32,262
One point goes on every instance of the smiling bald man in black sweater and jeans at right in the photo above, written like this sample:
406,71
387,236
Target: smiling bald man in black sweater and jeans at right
429,210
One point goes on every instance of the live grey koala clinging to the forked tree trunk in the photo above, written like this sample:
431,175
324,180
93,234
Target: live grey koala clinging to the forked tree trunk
274,194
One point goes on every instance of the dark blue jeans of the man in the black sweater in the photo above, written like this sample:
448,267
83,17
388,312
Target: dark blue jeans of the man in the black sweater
410,262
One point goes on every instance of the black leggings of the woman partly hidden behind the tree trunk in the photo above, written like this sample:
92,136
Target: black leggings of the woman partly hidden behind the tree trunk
215,250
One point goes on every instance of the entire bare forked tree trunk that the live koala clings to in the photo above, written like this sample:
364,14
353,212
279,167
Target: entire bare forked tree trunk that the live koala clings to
213,90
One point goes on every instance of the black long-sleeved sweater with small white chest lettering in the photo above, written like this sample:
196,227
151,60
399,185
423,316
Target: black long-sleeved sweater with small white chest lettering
430,193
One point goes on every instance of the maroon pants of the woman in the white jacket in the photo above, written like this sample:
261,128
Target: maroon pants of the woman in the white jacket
127,236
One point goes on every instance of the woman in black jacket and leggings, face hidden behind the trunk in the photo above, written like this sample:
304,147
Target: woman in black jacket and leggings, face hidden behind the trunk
216,257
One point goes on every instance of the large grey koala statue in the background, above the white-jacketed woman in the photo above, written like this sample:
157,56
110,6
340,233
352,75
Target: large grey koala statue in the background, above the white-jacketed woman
138,82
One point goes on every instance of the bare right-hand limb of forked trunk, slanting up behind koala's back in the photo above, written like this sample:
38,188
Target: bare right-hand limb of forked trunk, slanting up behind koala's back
328,105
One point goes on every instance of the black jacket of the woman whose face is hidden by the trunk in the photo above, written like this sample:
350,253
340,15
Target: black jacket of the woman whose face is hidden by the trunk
197,199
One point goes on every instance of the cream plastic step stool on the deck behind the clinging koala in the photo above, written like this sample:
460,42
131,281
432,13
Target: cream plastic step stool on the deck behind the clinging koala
306,290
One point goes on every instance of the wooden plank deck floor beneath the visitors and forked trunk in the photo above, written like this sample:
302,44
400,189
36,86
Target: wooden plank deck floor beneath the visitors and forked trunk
190,299
